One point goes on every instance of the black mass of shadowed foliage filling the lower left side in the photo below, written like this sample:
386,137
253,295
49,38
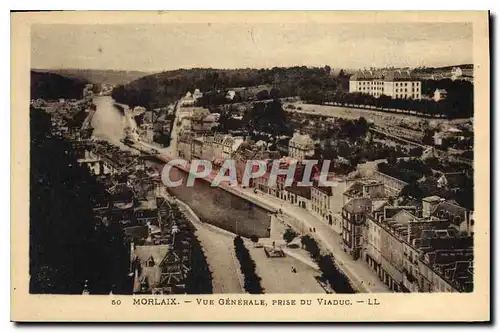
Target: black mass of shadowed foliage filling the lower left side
68,244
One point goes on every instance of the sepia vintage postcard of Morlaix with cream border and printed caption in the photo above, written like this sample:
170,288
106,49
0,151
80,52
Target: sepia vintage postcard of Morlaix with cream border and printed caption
250,166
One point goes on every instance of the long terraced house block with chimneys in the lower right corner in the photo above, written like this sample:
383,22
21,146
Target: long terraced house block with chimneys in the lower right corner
418,251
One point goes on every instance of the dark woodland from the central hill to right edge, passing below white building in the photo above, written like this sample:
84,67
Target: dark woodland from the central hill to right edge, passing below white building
313,85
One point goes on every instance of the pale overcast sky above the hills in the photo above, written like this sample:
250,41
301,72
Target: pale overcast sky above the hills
171,46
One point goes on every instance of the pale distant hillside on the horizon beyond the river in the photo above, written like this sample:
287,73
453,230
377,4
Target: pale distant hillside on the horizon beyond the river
113,77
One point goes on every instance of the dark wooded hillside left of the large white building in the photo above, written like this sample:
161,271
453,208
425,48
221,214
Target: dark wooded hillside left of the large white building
163,88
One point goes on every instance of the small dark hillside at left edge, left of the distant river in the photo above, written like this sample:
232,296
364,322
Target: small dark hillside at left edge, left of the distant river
53,86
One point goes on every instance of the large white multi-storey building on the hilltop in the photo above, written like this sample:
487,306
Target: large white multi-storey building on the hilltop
393,83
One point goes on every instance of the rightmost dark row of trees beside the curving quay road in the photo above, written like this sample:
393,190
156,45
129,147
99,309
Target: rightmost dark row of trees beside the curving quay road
329,271
